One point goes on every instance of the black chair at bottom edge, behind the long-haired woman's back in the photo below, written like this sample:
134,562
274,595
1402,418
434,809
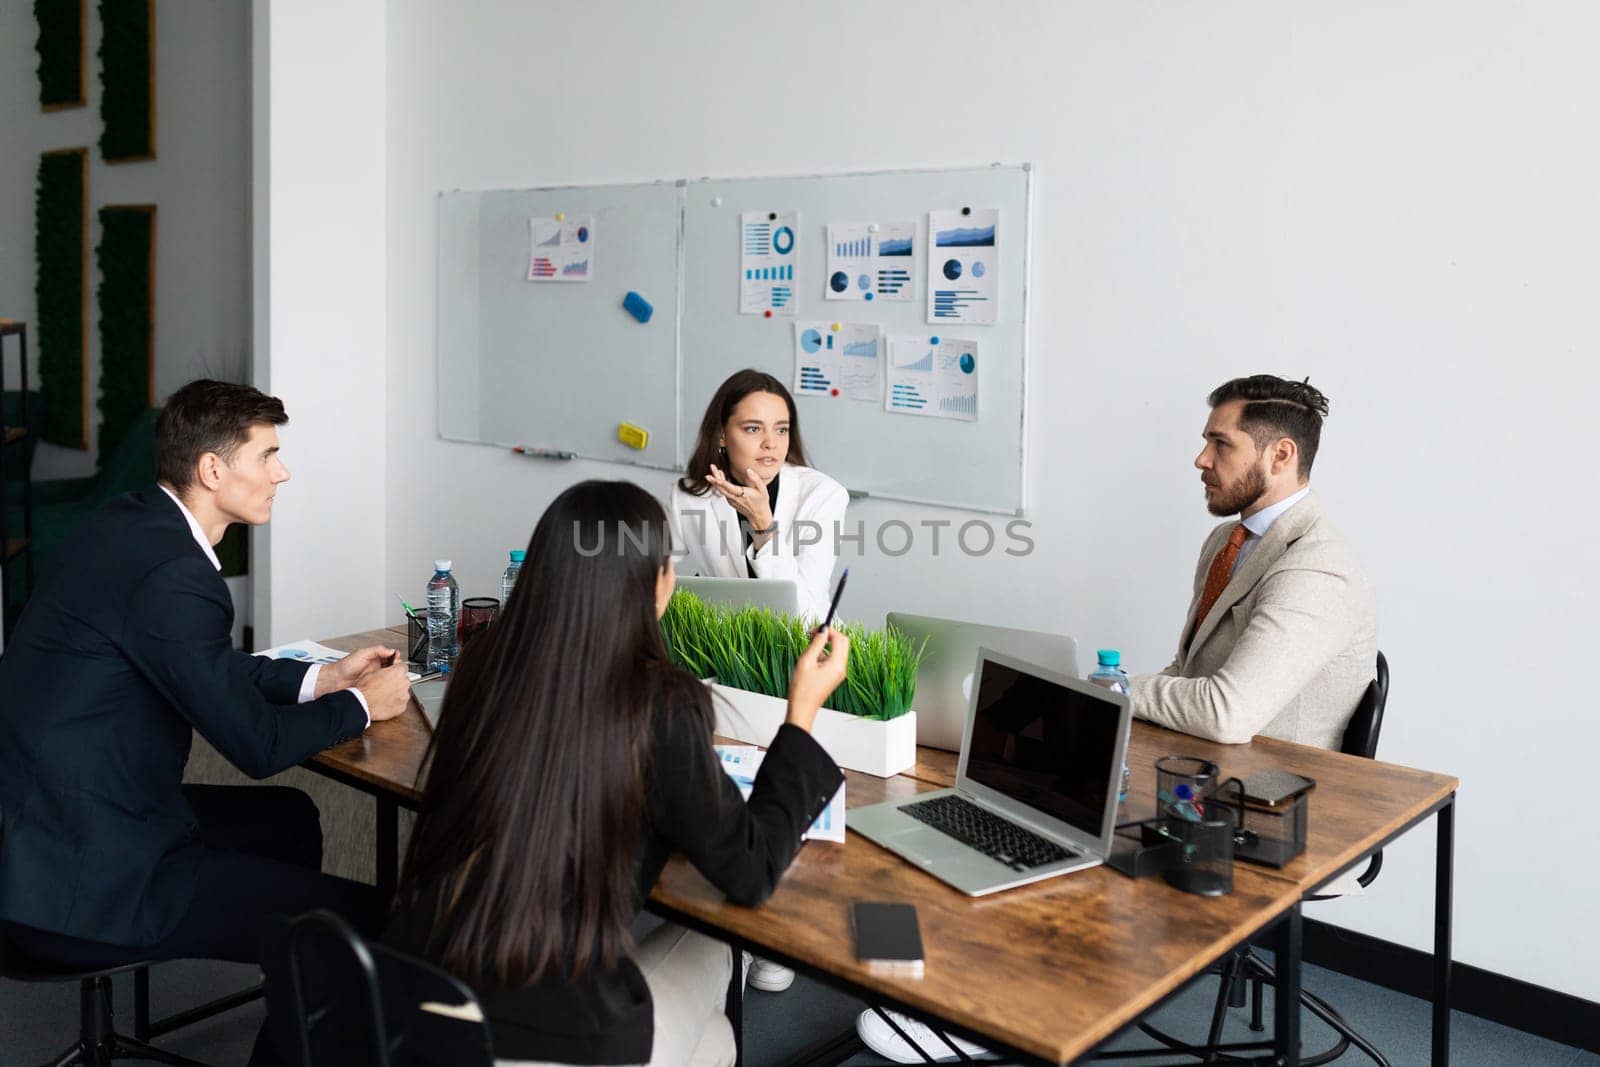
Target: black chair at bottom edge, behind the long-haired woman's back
335,1001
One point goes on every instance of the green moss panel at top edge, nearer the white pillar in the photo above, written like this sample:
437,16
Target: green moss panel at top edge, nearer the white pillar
127,81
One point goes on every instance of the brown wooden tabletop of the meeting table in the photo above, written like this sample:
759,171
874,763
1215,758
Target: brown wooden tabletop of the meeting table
1049,970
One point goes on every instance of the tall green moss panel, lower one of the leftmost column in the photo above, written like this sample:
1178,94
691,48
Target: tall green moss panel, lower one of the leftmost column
62,262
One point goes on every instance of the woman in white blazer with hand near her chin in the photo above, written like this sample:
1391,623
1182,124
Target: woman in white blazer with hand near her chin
750,506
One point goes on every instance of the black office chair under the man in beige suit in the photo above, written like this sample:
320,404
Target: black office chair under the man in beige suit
1361,738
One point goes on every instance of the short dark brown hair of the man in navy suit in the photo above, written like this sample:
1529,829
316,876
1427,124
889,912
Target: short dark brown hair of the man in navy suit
209,417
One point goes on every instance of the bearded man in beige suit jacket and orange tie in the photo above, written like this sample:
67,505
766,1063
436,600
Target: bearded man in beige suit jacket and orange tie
1282,631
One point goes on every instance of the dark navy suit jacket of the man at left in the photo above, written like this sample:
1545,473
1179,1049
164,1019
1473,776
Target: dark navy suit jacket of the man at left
122,650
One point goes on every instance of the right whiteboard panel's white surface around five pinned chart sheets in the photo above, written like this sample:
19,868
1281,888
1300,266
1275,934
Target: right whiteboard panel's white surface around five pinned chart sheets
974,466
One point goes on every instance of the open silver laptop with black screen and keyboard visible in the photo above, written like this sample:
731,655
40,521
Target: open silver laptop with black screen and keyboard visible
1036,791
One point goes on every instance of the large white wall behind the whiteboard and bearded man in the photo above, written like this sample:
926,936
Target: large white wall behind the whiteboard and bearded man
1396,199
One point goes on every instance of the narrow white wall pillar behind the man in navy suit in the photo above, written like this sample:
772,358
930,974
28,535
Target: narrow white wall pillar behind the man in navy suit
319,311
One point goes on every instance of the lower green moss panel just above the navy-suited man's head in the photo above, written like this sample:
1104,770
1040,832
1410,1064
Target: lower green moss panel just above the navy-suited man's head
127,308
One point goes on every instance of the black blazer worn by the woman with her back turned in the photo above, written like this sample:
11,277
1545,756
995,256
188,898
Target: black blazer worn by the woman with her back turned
690,807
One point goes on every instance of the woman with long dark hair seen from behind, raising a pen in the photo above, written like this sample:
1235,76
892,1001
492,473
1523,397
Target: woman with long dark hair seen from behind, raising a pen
572,759
